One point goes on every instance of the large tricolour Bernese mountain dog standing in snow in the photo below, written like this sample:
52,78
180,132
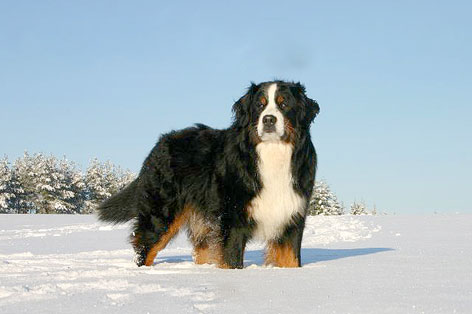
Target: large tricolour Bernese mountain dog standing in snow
252,180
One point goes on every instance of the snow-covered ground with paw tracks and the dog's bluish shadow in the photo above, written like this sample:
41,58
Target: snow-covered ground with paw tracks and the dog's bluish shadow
385,264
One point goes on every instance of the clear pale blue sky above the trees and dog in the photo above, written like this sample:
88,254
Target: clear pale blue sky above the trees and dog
393,80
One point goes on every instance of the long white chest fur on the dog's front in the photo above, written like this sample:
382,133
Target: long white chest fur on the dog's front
276,204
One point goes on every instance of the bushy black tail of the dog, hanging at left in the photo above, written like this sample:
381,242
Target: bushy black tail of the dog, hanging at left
120,207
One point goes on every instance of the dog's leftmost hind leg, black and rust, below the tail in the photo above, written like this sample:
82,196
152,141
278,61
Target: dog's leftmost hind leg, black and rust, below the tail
153,233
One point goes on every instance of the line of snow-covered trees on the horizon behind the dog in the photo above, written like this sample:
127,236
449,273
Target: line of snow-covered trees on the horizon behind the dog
40,184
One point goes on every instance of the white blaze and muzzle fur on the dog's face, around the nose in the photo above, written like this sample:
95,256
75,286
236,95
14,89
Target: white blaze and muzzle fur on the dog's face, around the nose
271,109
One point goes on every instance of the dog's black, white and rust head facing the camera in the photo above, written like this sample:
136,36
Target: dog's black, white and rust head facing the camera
275,111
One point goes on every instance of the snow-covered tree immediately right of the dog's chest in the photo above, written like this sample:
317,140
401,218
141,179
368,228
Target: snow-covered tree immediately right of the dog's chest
324,201
